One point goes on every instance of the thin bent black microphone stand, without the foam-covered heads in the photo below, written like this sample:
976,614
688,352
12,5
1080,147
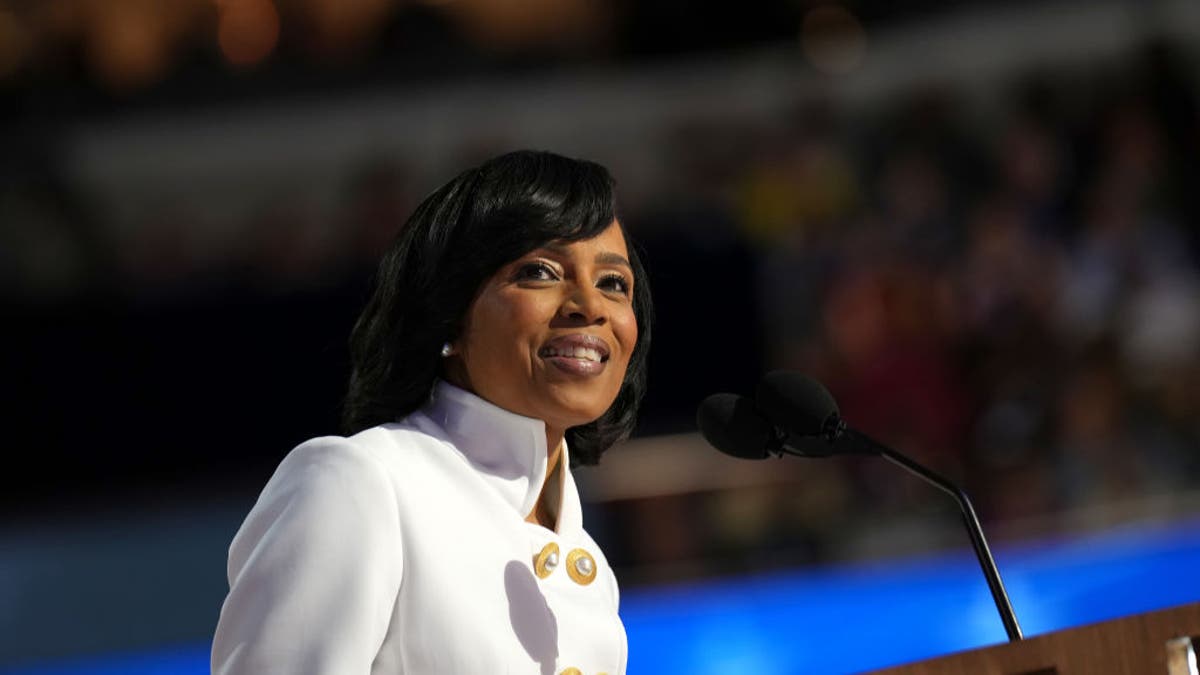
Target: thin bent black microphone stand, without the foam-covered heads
836,429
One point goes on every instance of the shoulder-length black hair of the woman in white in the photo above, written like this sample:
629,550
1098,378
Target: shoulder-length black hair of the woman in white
455,241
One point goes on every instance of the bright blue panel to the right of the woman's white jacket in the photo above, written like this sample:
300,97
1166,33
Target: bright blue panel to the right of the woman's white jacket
848,620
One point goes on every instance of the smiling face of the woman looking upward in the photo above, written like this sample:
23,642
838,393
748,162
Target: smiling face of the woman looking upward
550,334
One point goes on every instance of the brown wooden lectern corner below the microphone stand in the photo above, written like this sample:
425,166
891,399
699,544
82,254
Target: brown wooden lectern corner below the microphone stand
1143,644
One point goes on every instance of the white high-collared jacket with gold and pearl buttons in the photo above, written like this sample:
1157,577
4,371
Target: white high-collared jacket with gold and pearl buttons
404,549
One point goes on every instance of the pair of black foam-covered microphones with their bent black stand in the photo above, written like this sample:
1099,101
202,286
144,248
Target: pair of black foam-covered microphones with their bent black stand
796,415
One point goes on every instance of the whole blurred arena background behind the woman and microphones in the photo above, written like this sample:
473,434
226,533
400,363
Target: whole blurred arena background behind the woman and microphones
977,223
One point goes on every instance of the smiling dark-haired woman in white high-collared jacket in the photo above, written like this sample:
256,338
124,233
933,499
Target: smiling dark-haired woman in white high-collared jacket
506,342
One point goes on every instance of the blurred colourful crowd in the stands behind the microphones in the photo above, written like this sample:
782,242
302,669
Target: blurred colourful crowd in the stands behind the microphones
1018,303
